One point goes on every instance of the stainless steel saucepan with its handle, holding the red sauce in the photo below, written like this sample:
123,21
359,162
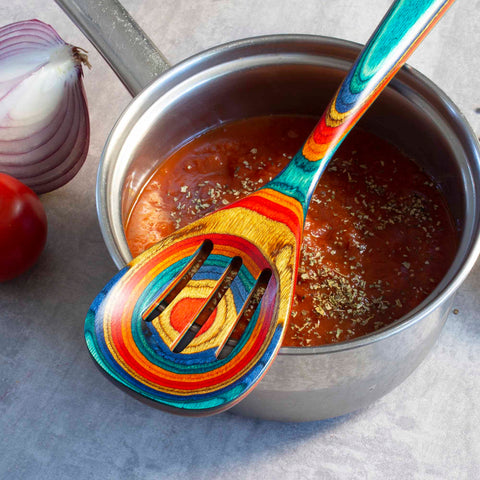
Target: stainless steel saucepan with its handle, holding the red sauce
290,74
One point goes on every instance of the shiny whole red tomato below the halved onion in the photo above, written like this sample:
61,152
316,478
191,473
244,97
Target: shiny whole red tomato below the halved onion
23,227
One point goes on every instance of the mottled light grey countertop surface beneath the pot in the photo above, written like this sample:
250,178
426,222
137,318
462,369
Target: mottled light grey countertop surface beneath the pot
60,419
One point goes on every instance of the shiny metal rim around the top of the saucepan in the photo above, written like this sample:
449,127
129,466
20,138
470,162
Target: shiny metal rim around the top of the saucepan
431,303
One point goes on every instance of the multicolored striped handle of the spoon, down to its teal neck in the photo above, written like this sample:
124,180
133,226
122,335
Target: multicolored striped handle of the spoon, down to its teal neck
400,32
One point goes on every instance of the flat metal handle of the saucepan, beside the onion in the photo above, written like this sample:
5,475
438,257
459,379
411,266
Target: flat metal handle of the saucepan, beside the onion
121,42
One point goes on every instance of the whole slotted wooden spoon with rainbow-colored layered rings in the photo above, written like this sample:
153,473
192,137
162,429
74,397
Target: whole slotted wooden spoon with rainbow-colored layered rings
161,326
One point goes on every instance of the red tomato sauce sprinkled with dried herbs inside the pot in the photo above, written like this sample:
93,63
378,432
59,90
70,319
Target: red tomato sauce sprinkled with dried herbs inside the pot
378,235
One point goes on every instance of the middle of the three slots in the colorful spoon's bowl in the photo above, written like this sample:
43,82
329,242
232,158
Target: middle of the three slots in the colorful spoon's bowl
208,308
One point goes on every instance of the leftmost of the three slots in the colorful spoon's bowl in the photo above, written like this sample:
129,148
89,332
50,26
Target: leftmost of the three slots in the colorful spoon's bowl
187,274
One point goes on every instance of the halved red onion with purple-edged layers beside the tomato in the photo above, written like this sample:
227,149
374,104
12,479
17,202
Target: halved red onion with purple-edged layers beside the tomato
44,123
